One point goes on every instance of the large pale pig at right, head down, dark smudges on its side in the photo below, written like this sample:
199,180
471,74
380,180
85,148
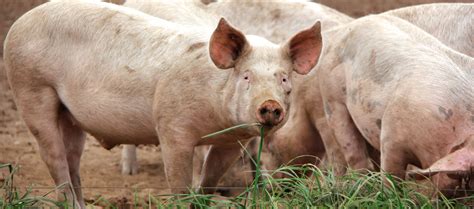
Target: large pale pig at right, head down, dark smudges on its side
390,84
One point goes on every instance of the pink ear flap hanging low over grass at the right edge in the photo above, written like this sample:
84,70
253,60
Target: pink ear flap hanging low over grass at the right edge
456,165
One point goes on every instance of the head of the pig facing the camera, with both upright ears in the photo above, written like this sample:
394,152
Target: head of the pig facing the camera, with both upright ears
259,85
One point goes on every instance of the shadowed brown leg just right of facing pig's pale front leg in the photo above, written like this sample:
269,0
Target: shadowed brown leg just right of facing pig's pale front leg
218,160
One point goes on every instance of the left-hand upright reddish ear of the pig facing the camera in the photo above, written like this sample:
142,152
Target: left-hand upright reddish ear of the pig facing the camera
226,45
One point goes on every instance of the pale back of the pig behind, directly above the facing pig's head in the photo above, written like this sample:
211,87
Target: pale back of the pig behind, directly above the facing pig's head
277,21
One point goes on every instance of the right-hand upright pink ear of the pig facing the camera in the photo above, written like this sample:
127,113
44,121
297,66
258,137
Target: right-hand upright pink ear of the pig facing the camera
304,48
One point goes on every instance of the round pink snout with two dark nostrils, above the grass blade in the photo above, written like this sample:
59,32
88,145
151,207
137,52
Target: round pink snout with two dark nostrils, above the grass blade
270,113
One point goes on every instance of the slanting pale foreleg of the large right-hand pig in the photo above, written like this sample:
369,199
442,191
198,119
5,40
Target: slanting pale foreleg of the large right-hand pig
350,141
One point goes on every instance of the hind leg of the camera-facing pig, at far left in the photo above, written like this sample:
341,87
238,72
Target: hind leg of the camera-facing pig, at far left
60,141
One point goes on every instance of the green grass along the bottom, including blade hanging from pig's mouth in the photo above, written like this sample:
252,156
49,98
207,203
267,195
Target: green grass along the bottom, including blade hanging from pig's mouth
305,186
